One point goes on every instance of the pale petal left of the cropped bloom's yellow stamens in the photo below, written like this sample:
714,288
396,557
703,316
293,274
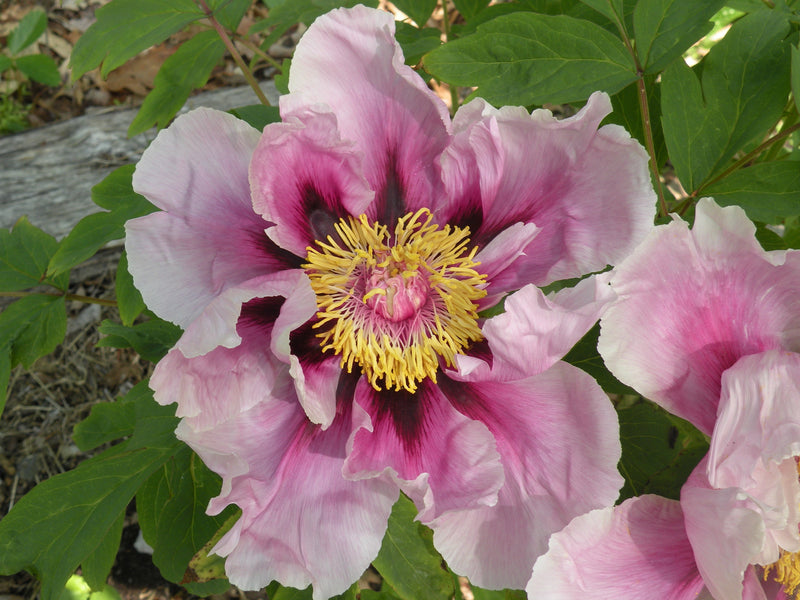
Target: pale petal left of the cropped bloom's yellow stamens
726,532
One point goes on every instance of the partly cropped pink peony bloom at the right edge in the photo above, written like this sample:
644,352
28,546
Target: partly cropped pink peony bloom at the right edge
721,349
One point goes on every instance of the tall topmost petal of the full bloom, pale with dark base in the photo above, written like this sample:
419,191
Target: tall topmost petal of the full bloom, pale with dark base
348,60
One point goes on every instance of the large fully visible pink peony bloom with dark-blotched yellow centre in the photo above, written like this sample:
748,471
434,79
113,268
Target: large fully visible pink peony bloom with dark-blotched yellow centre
329,275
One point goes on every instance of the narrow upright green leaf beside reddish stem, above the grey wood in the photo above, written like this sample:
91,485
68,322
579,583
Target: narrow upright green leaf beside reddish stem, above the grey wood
184,71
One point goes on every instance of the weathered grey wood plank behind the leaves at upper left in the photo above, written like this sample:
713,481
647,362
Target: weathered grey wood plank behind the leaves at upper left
48,173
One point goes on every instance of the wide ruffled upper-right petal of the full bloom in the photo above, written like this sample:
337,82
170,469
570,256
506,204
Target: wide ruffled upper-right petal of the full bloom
587,189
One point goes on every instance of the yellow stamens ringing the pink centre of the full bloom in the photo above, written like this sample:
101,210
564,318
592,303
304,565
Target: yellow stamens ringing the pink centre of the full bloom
396,305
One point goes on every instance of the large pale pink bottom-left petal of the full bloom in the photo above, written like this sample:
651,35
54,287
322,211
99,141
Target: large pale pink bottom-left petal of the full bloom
302,523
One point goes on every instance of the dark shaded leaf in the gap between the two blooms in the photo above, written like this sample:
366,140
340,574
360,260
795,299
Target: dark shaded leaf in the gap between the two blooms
659,450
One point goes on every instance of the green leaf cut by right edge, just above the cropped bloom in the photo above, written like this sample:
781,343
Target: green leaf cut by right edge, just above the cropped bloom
767,191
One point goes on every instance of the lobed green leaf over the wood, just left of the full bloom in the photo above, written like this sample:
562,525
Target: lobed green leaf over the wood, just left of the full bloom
91,233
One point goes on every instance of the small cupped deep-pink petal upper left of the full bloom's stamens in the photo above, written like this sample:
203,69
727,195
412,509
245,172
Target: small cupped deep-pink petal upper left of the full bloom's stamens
304,179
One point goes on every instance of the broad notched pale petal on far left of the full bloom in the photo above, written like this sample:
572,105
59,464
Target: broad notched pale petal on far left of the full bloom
209,238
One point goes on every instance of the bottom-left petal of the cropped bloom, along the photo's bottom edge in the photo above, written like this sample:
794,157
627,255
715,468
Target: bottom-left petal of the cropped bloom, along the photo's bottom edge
635,551
